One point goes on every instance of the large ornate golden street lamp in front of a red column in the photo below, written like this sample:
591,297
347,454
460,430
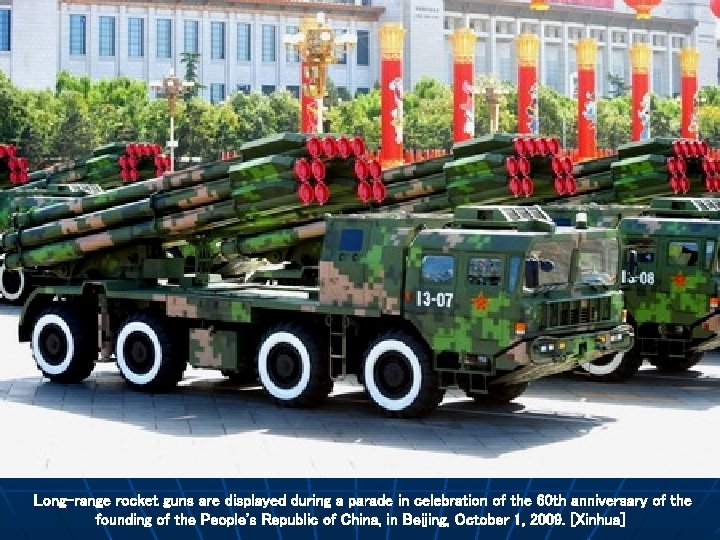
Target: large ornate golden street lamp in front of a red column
318,47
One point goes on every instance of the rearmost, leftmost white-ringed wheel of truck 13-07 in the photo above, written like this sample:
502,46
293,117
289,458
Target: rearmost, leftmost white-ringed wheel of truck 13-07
62,345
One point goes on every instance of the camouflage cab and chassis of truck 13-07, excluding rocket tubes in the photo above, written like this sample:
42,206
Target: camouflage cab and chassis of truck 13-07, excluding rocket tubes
487,300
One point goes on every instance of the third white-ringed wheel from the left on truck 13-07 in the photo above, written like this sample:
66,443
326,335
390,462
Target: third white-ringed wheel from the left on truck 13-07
292,368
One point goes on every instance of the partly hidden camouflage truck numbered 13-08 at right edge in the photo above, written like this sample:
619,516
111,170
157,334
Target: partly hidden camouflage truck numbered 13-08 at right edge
670,276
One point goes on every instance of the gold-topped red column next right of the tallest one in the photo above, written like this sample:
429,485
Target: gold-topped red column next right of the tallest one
463,45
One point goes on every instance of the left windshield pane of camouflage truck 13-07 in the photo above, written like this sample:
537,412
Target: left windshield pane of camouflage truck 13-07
548,265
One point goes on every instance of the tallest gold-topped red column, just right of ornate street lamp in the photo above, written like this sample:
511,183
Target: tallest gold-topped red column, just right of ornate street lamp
392,36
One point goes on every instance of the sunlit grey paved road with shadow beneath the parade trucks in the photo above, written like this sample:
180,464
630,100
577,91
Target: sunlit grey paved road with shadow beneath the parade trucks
653,425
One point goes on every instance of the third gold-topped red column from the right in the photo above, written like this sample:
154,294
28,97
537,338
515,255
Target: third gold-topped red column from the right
586,53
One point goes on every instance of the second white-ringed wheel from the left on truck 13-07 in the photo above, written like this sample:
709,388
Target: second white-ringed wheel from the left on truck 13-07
146,357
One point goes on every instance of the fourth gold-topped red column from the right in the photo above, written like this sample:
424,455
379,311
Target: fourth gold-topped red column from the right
528,47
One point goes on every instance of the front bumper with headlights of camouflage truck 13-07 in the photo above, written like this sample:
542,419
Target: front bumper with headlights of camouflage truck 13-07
548,355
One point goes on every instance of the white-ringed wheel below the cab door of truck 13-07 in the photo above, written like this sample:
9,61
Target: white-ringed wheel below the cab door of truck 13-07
399,376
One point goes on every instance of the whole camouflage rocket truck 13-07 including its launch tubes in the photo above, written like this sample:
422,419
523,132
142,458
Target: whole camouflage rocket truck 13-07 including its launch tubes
486,299
